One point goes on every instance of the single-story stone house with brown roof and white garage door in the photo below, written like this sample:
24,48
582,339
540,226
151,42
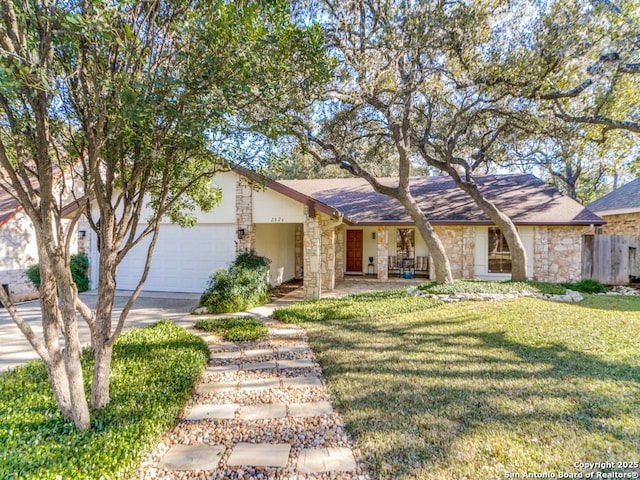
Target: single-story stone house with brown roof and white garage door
320,230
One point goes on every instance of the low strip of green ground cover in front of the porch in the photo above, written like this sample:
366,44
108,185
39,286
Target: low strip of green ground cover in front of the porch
366,305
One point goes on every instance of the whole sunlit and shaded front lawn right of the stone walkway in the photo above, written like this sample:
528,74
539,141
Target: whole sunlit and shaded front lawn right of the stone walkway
479,390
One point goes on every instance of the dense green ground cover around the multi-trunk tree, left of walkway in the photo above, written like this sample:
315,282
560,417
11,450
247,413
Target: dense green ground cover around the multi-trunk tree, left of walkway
153,373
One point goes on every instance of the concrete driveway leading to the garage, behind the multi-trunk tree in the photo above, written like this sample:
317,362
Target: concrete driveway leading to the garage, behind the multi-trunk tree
149,308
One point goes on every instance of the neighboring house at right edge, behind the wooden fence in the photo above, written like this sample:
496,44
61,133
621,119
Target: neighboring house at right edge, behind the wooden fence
620,209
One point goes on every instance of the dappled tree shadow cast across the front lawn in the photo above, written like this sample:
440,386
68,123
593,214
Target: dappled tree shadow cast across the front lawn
410,384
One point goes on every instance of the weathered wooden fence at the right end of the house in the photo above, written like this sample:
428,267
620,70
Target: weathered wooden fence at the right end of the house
611,259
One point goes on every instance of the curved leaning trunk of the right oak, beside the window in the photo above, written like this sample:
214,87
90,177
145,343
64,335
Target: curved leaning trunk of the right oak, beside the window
506,226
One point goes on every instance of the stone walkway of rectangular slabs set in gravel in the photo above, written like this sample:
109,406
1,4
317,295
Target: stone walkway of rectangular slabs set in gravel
260,411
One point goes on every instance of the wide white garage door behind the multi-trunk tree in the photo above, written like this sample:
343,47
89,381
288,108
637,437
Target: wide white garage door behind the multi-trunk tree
183,259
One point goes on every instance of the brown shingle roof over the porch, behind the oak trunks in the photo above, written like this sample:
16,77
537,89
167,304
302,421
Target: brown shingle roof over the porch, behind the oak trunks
524,198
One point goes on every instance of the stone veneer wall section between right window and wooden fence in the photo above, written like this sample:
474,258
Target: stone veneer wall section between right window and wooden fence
557,253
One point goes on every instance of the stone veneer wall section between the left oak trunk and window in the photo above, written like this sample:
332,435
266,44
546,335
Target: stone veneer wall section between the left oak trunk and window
459,243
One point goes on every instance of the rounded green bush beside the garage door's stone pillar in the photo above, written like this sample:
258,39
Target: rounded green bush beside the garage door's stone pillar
244,285
